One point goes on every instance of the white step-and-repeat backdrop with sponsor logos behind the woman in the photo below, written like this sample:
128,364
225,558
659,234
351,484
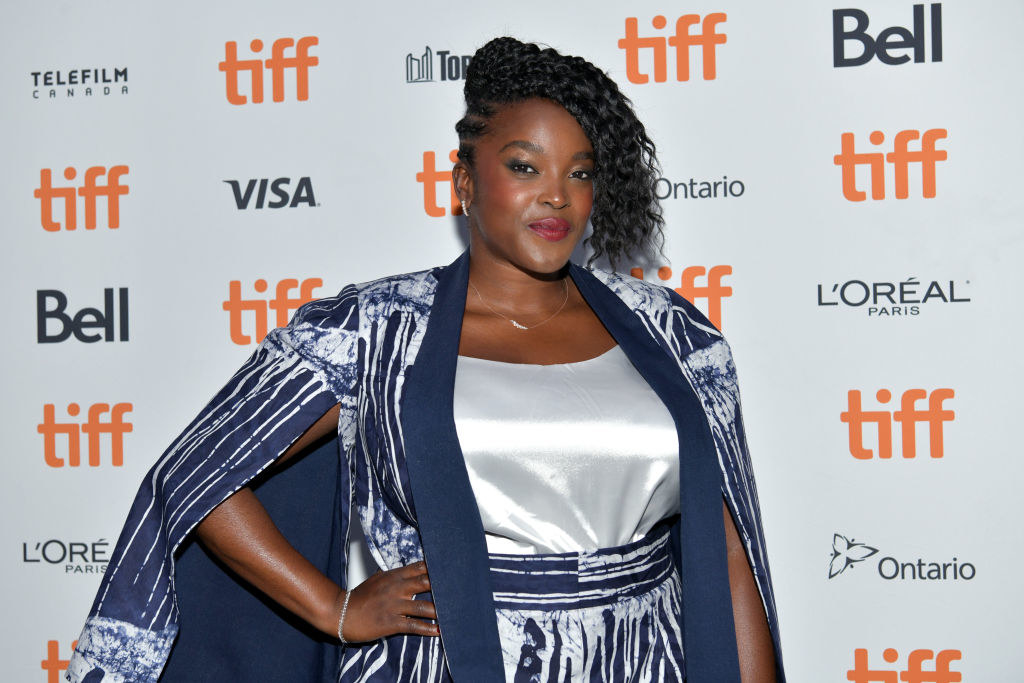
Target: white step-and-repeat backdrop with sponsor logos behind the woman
842,185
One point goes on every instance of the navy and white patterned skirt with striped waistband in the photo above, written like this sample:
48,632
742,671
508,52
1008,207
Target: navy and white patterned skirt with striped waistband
607,616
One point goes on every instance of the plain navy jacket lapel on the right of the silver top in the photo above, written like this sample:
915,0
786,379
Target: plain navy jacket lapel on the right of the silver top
709,633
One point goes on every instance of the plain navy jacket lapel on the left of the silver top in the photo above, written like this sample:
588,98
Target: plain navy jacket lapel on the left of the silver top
449,520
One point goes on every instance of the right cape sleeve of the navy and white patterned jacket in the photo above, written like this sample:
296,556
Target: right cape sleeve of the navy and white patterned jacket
707,362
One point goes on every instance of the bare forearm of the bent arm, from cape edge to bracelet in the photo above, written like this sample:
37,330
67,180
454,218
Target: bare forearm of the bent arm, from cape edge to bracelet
241,534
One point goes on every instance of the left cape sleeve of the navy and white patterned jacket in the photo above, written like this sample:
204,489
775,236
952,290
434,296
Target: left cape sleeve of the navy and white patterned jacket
296,374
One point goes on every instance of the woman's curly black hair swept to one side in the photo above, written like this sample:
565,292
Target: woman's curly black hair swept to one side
626,217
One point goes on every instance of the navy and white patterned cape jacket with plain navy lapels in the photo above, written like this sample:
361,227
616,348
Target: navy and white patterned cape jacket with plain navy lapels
387,352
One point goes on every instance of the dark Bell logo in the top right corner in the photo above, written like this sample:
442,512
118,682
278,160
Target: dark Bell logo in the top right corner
893,39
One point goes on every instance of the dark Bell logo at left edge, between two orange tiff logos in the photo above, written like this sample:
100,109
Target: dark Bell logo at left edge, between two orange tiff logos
112,320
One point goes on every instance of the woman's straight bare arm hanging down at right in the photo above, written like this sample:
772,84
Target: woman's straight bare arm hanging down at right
757,656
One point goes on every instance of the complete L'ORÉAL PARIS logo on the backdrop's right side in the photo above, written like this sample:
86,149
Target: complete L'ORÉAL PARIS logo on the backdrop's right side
903,298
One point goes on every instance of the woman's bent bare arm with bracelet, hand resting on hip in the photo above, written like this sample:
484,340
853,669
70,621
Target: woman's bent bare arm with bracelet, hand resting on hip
242,535
